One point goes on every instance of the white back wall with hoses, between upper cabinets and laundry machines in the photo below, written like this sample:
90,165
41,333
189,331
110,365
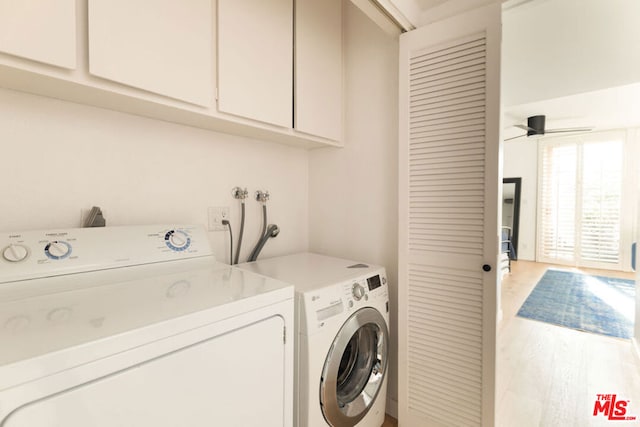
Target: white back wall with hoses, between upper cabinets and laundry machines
59,157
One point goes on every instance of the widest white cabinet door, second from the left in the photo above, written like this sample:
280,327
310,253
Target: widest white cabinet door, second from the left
165,47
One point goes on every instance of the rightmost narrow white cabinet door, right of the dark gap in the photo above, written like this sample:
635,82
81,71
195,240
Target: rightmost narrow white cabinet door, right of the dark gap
318,70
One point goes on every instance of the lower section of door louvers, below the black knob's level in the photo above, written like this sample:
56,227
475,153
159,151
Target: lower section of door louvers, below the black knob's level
445,342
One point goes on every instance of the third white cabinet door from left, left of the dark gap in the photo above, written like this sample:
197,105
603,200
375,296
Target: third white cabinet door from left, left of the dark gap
255,59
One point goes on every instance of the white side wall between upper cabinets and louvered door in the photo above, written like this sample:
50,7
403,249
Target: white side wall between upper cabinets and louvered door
353,191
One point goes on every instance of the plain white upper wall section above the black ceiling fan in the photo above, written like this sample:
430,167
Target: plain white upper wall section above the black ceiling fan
554,48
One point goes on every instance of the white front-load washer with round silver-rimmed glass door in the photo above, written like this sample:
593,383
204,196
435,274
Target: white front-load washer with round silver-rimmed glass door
342,314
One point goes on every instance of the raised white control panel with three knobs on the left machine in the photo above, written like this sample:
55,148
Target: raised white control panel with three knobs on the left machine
33,254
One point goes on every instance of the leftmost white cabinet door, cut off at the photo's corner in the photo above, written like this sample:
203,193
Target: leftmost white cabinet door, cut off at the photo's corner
41,30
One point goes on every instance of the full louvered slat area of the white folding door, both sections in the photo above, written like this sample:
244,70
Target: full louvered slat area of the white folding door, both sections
446,172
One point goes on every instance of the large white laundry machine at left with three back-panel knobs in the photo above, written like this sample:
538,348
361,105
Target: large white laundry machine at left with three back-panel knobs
139,326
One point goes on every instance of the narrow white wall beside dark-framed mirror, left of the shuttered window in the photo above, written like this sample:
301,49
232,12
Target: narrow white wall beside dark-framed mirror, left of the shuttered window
521,161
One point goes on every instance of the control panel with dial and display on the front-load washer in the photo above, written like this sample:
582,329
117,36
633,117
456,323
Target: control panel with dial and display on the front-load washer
331,304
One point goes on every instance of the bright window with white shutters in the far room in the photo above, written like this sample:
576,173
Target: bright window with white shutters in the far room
580,201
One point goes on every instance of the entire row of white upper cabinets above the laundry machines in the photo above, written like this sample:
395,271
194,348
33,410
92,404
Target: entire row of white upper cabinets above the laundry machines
225,65
